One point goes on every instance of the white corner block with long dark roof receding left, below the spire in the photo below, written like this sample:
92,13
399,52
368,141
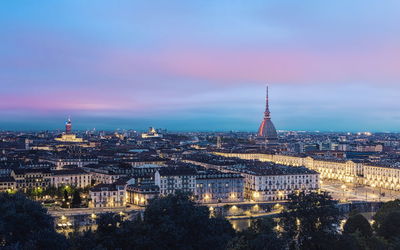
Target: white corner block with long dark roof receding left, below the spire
263,181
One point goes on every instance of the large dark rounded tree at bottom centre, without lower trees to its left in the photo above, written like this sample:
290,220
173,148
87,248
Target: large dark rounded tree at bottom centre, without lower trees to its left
177,223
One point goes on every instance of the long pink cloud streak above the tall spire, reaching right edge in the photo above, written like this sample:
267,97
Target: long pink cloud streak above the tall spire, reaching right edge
285,66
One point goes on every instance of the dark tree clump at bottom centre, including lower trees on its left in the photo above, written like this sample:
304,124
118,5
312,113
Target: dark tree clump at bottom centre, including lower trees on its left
172,222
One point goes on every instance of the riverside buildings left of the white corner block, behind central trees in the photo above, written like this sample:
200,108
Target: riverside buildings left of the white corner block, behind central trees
206,186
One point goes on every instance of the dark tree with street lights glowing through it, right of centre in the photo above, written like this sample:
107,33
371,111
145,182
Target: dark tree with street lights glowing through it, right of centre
310,220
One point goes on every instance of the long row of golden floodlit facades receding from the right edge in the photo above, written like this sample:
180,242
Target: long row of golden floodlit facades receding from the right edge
385,176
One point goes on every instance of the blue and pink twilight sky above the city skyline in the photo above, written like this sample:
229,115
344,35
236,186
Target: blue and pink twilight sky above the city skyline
200,65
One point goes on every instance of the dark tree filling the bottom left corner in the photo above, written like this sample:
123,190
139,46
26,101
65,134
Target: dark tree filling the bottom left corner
24,224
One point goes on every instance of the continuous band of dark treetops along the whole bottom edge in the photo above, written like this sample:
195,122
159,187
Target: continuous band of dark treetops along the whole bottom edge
309,221
